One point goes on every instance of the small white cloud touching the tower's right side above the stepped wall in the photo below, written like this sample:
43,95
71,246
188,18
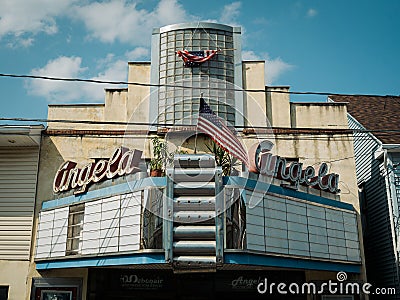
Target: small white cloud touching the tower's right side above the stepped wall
274,68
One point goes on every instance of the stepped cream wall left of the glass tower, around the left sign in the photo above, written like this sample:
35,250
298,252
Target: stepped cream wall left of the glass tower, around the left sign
119,106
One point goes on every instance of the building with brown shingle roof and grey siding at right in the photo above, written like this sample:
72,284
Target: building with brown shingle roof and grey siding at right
377,153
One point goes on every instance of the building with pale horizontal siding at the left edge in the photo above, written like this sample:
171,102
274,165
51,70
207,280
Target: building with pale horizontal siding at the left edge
19,160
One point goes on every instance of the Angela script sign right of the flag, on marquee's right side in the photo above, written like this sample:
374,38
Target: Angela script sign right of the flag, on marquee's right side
263,162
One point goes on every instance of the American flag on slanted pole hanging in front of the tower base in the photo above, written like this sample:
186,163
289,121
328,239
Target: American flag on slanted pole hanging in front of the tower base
215,127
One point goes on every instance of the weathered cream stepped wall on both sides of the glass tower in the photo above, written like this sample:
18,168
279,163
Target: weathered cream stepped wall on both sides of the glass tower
132,104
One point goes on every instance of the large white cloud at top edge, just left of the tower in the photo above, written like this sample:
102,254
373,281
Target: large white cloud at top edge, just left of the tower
122,21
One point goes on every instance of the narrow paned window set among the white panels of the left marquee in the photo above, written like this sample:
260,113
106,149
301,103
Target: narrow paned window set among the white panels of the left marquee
75,225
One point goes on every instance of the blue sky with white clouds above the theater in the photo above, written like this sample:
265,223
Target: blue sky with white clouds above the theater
340,46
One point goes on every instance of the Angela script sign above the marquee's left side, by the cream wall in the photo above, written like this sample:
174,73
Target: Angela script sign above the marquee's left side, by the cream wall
122,162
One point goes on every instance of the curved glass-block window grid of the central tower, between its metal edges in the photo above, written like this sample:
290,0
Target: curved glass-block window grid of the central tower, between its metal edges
172,71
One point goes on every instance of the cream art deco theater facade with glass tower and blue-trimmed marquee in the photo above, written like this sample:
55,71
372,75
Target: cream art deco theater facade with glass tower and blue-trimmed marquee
210,225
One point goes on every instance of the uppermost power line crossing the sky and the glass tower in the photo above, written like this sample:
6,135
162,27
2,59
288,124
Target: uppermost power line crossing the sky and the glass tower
187,87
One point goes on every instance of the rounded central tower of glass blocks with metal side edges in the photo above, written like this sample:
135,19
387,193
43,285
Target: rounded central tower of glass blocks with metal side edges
215,78
